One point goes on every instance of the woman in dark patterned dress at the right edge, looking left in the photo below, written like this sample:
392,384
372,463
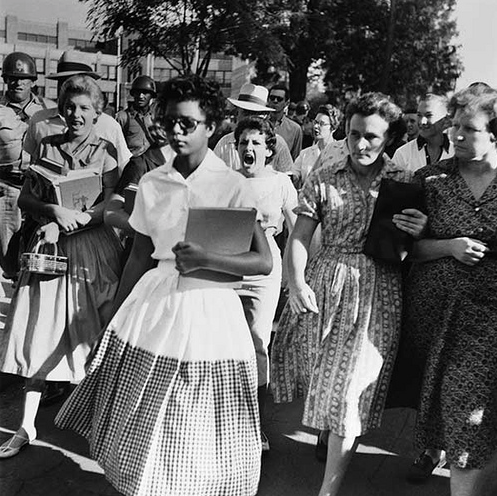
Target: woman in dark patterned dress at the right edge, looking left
452,295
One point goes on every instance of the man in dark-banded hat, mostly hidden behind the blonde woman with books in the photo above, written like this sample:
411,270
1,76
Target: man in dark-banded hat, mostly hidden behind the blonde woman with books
48,122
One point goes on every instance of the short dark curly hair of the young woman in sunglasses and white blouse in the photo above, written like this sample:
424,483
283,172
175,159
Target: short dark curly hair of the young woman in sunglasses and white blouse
206,92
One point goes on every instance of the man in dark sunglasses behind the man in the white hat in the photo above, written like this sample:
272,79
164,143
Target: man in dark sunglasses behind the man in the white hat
290,131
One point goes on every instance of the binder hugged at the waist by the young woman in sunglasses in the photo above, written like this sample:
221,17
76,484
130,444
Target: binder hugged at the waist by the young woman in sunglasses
219,230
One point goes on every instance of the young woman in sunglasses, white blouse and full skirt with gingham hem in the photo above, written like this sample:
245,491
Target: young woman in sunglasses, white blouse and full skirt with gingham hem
169,405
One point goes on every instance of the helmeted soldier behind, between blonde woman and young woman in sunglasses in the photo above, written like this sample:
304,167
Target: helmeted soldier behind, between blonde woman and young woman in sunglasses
137,119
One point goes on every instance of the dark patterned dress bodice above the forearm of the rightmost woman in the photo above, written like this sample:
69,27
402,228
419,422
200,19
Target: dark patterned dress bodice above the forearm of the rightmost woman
453,211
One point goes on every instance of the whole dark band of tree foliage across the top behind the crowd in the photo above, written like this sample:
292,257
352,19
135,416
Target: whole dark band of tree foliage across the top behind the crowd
401,47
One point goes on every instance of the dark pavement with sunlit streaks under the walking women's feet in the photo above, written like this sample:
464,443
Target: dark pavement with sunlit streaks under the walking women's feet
58,463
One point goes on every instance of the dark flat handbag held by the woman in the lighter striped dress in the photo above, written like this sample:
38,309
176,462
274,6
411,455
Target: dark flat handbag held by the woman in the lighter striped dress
384,241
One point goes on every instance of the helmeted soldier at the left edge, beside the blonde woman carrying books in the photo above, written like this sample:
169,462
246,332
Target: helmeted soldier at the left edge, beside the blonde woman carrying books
17,106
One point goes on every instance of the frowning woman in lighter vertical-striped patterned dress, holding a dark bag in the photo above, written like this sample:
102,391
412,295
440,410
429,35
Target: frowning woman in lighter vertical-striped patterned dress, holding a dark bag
338,334
